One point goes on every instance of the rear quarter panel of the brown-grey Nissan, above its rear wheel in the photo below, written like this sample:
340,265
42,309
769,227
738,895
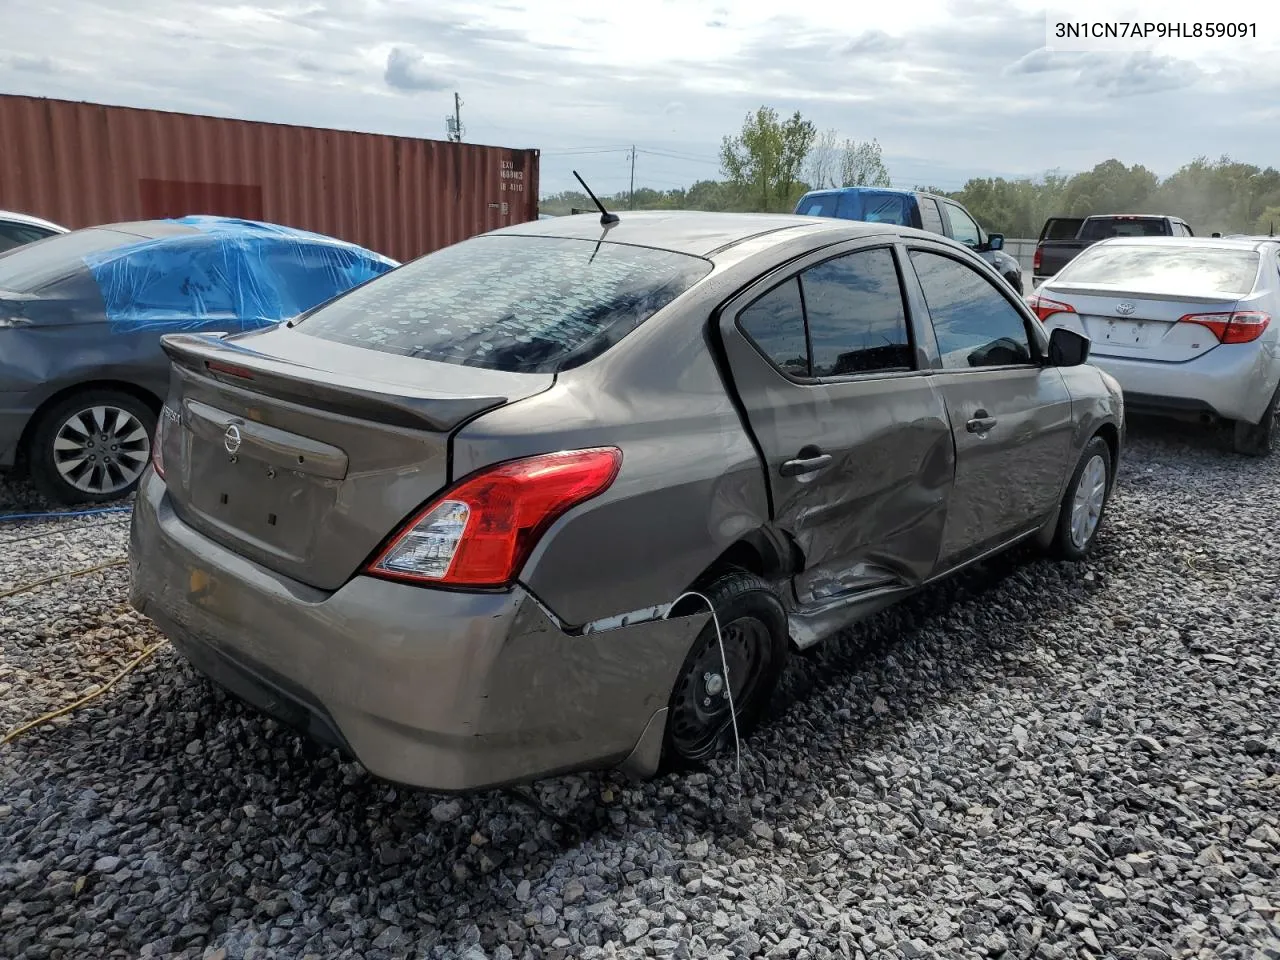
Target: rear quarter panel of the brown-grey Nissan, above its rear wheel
691,483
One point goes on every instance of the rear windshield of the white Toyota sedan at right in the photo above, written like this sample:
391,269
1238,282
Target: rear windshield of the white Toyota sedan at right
1178,271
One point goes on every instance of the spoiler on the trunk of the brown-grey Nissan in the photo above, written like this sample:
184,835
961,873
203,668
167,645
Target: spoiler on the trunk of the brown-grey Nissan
226,362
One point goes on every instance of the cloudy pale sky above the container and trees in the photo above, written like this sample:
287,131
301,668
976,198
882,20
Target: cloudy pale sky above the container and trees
952,90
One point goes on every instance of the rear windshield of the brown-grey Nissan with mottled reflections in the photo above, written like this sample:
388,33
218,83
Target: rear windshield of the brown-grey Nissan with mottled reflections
515,304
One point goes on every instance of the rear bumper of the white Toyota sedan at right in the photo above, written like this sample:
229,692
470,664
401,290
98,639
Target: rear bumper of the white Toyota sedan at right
1232,382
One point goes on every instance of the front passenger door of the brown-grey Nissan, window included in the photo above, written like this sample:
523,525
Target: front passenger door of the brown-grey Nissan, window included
1011,415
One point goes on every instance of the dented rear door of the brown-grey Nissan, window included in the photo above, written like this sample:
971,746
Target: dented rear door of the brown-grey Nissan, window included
854,435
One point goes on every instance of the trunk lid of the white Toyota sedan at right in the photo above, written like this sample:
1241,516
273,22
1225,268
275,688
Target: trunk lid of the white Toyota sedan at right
1141,326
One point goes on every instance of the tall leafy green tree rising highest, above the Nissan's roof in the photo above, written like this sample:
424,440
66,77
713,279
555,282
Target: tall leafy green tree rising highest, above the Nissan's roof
765,161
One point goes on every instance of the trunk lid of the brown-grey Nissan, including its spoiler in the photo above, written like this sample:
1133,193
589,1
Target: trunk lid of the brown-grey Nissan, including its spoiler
304,455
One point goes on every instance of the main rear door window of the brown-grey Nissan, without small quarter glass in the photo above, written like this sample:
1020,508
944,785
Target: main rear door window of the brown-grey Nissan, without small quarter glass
857,318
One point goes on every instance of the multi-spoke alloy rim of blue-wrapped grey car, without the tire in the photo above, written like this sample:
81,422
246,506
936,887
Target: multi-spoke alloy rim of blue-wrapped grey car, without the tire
102,450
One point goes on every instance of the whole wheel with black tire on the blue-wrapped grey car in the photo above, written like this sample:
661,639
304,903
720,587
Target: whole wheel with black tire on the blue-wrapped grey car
74,464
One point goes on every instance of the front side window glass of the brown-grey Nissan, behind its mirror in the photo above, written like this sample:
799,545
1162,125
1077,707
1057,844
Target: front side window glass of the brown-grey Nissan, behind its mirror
976,327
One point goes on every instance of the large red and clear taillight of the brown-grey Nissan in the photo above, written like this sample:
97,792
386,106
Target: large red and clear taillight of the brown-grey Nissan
481,533
